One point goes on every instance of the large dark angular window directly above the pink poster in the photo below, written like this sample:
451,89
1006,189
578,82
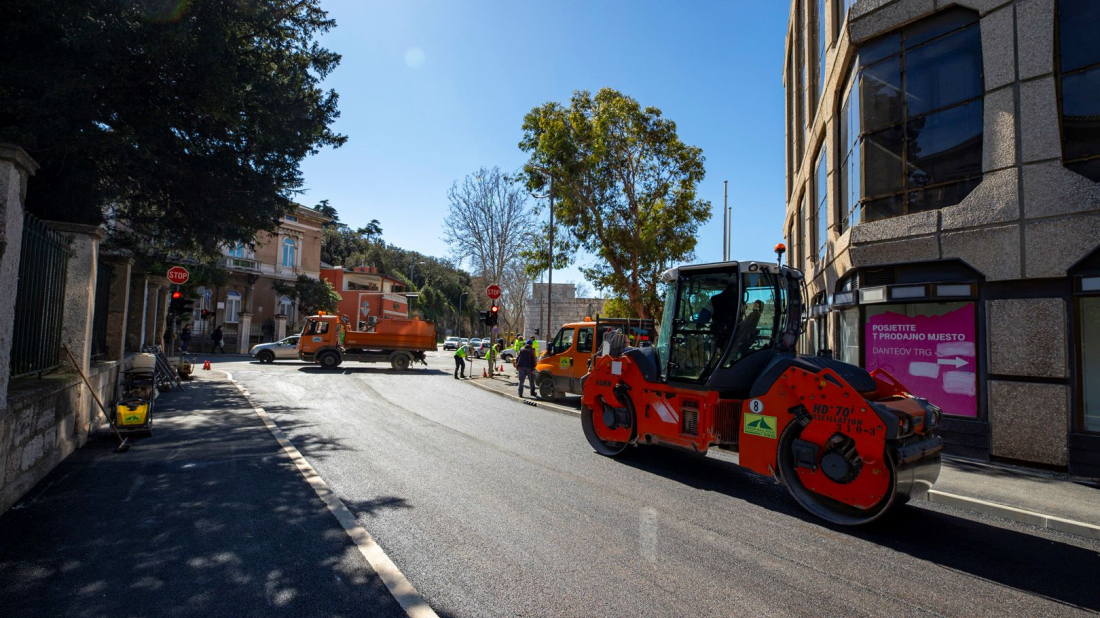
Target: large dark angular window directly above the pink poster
918,123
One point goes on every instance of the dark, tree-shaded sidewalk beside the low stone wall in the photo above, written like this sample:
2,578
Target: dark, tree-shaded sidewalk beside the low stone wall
207,518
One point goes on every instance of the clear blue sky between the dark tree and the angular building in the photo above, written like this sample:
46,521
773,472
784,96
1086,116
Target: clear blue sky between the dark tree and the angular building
432,91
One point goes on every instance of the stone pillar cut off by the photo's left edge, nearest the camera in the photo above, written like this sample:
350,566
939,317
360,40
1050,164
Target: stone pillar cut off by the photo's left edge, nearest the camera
16,168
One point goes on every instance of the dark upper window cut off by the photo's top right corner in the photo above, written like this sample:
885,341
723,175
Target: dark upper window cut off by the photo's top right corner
1080,67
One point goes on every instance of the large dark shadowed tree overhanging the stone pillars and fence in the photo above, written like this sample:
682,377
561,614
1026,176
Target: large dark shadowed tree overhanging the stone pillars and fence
182,122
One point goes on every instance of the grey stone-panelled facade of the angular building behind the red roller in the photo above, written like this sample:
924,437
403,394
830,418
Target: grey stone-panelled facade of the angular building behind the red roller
1022,237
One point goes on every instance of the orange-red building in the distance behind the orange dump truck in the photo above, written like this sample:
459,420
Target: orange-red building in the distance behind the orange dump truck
368,295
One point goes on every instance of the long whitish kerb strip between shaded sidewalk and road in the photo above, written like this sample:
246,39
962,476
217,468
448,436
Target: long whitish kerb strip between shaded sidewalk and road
408,597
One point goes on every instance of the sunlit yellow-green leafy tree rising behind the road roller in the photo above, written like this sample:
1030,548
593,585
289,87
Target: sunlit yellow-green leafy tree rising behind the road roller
625,190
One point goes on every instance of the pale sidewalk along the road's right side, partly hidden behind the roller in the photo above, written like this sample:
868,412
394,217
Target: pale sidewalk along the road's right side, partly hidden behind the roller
1015,489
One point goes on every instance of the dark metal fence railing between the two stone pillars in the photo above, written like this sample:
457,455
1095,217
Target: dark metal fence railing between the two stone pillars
40,300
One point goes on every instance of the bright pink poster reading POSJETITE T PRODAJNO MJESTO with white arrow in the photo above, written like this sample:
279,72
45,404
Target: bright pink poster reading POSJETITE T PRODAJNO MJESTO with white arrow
934,357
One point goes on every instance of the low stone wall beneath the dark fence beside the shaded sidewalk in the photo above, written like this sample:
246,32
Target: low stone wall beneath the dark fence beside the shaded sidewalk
46,421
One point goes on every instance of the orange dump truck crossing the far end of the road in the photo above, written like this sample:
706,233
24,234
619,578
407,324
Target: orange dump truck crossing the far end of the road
328,341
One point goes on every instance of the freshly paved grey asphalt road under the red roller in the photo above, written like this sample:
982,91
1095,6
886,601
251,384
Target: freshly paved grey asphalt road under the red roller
494,509
